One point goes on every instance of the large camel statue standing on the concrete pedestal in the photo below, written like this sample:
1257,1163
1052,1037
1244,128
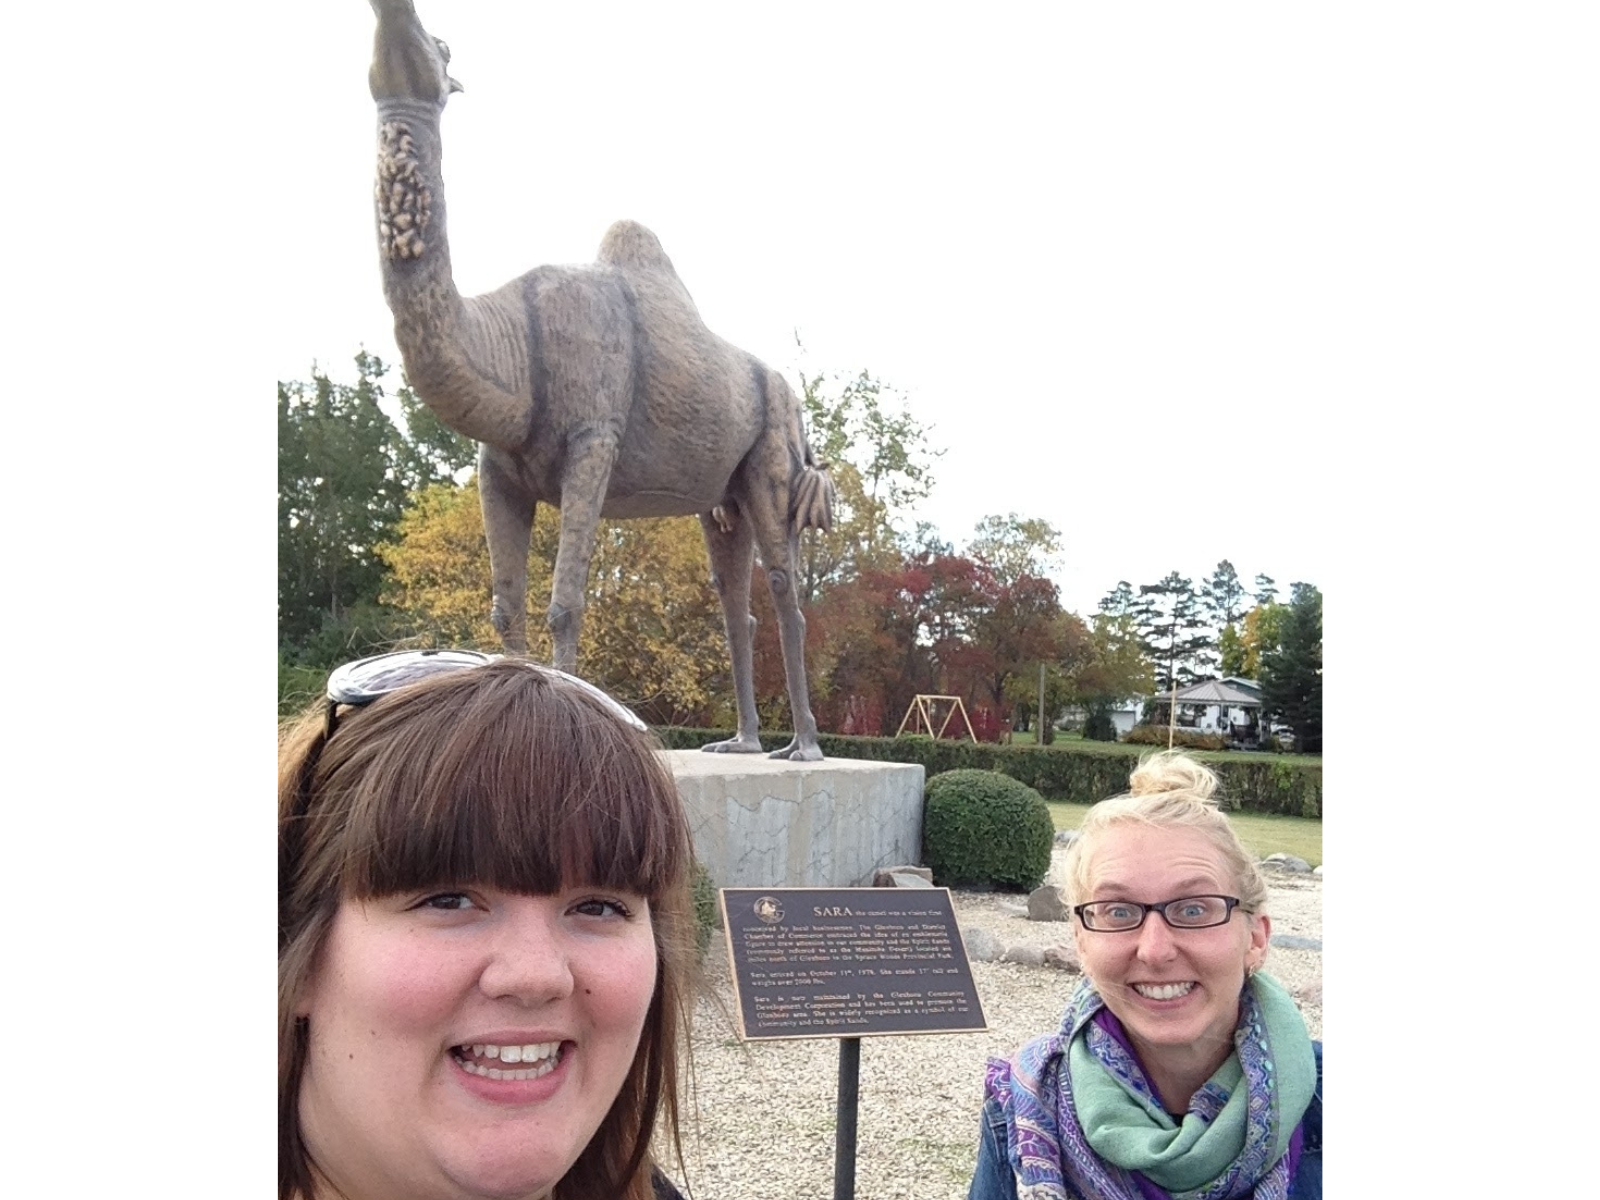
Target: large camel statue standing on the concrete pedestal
593,388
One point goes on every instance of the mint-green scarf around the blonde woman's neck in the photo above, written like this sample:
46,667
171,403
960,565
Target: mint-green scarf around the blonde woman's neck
1244,1114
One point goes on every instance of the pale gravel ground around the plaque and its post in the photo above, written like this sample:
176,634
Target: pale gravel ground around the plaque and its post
761,1124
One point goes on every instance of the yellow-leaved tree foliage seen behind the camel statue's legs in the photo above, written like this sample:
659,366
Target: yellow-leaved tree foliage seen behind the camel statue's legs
652,626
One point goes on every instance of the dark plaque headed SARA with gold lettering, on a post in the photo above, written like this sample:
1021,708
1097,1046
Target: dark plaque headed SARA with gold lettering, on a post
849,962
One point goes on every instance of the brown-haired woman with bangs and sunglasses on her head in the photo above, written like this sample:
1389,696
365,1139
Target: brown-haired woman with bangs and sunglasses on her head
484,938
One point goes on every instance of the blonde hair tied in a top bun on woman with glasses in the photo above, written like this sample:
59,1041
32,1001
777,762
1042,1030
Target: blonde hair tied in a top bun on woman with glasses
1167,790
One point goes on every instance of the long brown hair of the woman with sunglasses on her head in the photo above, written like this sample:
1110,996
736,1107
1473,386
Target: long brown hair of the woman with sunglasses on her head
505,777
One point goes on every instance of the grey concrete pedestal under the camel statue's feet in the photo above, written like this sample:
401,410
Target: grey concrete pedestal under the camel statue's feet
769,823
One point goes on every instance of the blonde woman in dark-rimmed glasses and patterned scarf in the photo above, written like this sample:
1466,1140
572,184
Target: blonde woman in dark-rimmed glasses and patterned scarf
1180,1071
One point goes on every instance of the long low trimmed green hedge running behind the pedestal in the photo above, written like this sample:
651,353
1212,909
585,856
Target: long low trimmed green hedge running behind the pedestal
1082,774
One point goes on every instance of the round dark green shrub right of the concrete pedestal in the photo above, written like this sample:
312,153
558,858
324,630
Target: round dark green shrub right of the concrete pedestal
986,828
